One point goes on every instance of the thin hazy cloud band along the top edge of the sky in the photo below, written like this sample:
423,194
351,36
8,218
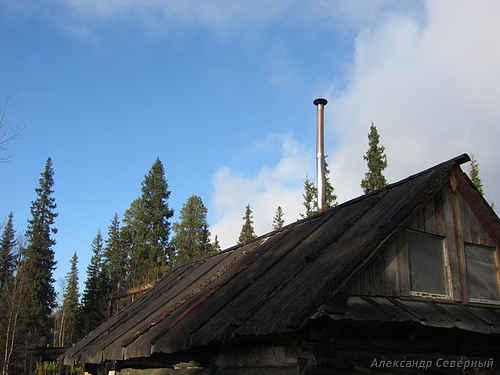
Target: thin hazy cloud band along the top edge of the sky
222,17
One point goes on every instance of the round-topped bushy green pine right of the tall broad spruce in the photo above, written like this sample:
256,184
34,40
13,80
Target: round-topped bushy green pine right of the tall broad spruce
192,237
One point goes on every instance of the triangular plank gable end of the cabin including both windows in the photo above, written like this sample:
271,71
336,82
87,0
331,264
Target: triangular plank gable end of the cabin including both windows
462,229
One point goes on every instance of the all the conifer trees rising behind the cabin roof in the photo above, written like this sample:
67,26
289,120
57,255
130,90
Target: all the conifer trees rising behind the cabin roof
137,249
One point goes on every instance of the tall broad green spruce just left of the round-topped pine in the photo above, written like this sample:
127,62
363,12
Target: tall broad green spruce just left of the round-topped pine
148,228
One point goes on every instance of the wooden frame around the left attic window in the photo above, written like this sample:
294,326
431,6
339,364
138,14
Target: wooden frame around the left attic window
446,267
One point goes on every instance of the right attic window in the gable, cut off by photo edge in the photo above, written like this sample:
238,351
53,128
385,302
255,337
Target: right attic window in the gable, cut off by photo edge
482,273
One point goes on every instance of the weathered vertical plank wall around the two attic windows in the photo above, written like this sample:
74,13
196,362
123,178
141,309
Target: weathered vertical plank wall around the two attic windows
448,215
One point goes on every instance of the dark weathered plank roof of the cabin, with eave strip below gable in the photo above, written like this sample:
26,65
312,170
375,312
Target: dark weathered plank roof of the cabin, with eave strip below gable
273,285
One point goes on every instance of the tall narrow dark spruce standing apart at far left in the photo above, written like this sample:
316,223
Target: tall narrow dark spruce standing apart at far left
39,259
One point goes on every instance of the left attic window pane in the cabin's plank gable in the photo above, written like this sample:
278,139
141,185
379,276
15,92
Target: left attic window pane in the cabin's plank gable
426,264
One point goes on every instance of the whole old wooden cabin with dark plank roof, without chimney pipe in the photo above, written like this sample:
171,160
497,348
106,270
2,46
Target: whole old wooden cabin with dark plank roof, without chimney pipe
402,280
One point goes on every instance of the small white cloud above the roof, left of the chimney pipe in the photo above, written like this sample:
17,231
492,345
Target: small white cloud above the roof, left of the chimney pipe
272,186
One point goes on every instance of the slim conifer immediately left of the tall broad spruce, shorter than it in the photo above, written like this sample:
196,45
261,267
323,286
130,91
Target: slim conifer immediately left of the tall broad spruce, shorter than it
115,257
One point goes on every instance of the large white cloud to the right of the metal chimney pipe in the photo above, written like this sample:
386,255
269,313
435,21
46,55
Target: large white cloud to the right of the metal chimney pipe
431,88
